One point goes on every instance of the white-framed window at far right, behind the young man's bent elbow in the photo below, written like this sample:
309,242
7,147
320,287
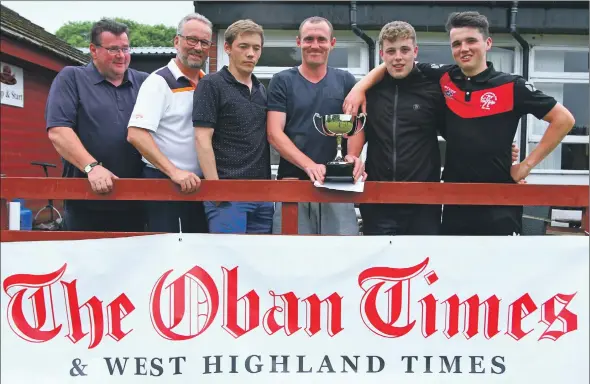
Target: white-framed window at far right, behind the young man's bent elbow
562,72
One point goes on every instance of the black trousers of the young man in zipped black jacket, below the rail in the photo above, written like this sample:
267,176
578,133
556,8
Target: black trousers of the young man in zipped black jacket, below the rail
400,219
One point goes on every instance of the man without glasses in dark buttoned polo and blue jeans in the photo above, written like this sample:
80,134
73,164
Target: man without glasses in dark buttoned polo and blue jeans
229,116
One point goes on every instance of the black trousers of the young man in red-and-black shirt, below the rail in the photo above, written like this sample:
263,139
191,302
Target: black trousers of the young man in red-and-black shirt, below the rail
477,220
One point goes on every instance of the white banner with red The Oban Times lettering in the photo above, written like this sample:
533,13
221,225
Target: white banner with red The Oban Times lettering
280,309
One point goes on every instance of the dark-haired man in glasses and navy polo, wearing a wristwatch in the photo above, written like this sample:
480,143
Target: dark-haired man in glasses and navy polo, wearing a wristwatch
86,119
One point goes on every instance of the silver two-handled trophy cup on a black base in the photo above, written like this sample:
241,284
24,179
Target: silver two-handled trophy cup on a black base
339,125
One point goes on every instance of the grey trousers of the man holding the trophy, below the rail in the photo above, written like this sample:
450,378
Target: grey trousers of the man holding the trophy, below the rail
322,219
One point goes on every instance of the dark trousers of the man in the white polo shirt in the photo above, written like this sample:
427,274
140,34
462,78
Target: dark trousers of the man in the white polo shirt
164,216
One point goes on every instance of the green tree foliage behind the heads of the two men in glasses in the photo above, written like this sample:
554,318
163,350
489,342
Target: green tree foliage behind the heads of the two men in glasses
77,33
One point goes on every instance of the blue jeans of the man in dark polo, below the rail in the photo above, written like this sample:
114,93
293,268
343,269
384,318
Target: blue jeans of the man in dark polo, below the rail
240,217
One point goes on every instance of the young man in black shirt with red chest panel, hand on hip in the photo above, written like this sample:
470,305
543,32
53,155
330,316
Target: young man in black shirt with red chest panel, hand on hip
483,108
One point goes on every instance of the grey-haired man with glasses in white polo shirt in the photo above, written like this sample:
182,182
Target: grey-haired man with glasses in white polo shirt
161,127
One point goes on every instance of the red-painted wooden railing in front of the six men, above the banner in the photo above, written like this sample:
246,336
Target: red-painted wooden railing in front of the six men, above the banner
290,192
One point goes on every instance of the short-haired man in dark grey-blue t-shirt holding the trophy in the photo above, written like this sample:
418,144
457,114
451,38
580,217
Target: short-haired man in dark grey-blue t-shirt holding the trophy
294,96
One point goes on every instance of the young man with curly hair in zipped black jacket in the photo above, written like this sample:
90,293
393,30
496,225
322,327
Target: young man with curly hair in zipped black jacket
404,119
